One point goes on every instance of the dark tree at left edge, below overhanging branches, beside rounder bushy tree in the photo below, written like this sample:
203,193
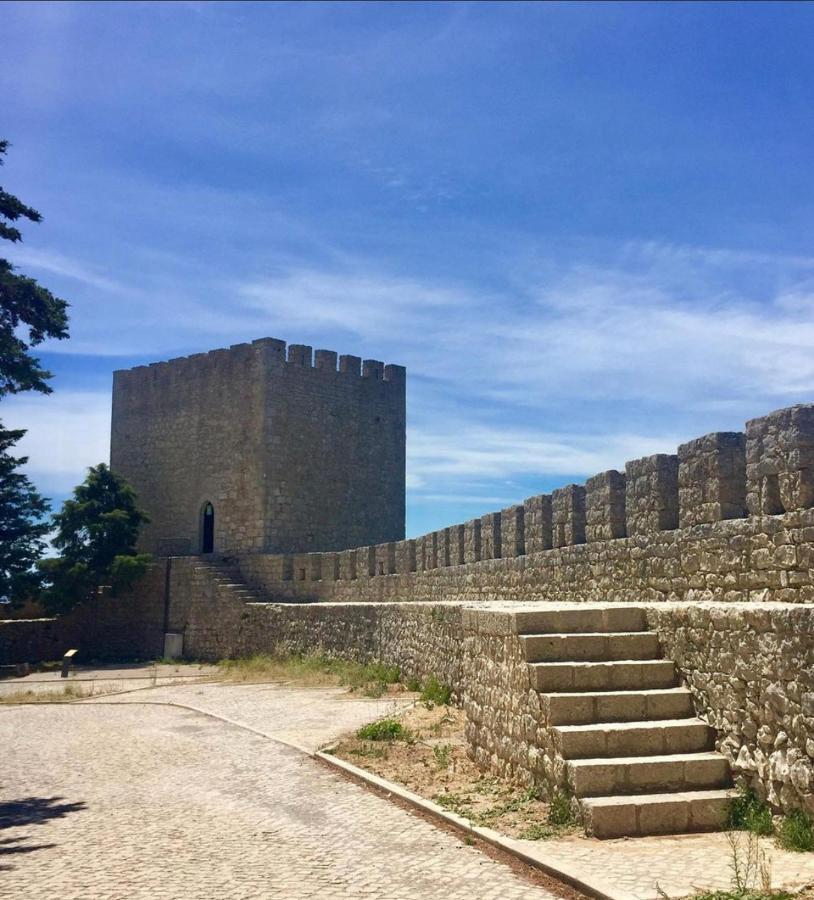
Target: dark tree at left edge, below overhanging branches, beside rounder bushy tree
23,524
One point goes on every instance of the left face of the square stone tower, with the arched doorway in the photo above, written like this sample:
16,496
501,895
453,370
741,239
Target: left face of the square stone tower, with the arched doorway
188,432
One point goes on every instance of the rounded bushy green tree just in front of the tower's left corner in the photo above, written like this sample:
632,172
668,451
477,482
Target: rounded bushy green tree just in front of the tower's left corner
96,533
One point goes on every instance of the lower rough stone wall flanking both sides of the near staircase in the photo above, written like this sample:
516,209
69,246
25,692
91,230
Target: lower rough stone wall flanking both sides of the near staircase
750,666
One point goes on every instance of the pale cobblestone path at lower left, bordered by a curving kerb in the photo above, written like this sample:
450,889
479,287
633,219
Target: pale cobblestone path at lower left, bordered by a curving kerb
115,800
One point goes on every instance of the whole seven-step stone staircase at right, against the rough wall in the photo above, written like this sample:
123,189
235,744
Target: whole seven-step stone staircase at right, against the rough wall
637,759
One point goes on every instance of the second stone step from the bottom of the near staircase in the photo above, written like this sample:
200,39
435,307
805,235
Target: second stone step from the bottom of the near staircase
645,774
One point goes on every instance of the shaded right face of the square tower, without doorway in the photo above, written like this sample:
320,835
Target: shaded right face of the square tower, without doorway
335,455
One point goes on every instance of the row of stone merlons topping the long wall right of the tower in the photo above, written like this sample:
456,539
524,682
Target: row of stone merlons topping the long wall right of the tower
769,470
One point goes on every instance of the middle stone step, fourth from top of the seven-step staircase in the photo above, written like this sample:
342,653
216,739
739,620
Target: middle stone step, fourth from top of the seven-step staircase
616,706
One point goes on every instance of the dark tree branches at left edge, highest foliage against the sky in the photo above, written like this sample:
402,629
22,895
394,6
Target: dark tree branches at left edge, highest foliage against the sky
29,313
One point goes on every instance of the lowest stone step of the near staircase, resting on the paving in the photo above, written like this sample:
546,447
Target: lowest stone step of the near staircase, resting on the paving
633,816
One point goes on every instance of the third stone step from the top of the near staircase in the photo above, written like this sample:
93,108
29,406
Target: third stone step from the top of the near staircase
615,675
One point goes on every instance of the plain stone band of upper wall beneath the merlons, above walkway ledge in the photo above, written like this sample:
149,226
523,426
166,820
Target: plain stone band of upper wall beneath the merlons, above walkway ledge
761,558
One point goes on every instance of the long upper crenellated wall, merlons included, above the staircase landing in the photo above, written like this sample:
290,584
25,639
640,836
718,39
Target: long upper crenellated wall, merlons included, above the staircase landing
698,525
